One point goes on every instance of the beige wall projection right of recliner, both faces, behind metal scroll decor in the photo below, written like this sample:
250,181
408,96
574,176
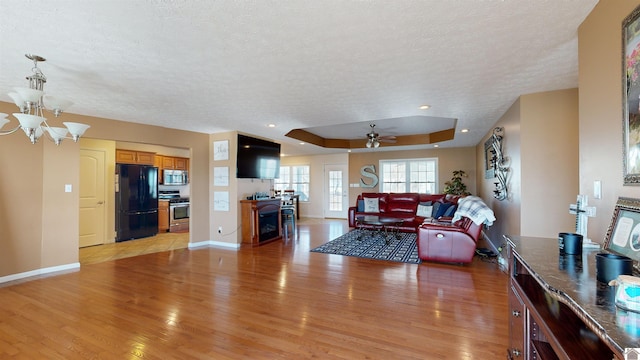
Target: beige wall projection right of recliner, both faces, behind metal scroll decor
541,145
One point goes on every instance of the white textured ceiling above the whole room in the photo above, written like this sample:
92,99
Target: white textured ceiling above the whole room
213,66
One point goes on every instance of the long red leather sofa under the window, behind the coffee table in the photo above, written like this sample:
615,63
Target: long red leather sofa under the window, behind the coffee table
399,205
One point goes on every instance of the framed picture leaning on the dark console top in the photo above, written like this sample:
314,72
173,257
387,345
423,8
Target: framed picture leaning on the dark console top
623,234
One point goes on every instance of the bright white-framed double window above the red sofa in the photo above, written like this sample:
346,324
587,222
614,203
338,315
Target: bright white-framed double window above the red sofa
409,175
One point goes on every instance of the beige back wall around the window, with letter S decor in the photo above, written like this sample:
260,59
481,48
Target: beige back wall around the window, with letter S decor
449,159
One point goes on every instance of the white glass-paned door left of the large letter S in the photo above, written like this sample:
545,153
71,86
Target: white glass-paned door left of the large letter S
336,191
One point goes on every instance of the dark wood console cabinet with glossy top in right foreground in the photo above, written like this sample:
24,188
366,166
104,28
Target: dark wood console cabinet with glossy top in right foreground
557,308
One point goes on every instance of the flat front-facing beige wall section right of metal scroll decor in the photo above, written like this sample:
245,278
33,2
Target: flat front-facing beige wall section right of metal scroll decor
549,158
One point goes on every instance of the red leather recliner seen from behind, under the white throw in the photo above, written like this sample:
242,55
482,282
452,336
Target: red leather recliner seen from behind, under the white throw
454,243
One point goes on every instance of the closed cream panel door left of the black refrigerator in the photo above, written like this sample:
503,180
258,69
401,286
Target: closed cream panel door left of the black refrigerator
92,197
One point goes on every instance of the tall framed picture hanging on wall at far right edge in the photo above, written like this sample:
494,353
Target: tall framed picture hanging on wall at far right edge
631,97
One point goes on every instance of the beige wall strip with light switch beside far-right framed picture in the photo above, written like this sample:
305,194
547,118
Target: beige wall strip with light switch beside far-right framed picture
600,79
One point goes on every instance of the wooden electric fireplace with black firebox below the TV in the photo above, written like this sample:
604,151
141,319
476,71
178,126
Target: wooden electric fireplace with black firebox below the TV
261,221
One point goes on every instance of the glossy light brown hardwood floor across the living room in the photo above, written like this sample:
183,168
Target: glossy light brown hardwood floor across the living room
275,301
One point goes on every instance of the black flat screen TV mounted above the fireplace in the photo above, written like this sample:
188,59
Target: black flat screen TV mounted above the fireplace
257,159
